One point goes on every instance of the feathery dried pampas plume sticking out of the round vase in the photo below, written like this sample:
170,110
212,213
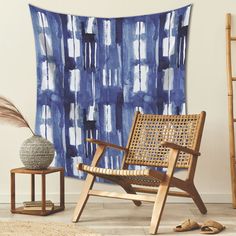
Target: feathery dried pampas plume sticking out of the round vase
9,113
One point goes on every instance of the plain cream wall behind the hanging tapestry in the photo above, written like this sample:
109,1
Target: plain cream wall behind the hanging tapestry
206,82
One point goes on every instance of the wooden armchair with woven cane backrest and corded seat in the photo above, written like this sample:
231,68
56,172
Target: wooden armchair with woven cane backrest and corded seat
170,141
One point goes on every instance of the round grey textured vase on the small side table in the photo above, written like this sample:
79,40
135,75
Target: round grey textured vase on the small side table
37,153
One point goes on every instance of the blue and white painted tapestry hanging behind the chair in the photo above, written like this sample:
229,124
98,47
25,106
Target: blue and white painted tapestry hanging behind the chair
94,73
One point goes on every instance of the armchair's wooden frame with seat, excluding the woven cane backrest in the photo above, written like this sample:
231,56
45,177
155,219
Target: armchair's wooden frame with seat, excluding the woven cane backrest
166,180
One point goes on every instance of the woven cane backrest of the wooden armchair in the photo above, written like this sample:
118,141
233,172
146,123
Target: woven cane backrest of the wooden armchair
150,130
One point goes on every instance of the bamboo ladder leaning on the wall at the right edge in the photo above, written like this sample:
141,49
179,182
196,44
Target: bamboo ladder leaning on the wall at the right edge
231,118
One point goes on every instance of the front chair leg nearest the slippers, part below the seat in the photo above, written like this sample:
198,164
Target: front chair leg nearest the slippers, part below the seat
158,207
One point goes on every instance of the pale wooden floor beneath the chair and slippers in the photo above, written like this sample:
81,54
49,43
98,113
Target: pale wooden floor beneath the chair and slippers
123,218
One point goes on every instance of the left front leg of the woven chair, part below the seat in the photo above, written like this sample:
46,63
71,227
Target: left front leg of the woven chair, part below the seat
83,197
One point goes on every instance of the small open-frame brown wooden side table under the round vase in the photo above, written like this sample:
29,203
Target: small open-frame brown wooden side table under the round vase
43,174
